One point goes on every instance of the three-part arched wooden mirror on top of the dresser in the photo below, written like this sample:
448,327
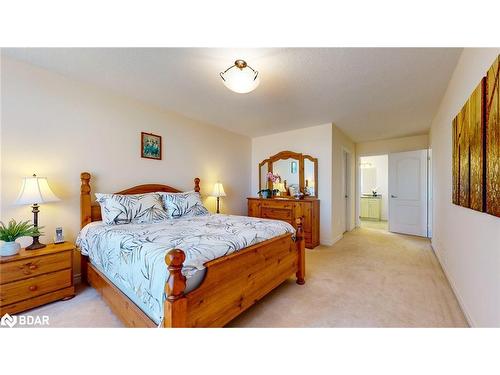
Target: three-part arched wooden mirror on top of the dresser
293,173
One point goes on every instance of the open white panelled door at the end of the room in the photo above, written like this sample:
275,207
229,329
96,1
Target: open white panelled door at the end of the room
408,192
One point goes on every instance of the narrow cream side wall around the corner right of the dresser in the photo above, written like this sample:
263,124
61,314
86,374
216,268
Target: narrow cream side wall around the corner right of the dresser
341,143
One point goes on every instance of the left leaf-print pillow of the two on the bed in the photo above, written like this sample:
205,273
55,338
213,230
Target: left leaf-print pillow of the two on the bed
136,209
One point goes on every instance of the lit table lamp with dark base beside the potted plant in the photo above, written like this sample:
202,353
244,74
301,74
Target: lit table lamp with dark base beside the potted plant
35,190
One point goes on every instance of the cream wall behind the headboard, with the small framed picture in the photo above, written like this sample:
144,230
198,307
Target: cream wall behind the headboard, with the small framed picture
59,127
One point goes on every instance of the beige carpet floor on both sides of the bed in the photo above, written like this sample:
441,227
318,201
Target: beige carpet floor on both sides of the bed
370,278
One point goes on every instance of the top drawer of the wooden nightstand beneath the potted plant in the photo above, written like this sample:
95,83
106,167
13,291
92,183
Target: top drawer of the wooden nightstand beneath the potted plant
24,269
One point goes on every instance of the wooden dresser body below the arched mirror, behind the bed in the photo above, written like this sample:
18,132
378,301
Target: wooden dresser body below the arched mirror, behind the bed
289,209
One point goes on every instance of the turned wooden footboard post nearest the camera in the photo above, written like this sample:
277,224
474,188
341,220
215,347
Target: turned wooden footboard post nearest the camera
175,306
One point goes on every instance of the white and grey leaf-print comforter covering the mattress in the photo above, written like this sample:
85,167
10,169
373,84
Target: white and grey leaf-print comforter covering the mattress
132,256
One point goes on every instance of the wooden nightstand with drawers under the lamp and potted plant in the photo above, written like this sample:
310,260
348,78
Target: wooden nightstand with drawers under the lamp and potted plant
35,277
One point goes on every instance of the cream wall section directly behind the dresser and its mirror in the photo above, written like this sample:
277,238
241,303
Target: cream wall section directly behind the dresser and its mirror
316,141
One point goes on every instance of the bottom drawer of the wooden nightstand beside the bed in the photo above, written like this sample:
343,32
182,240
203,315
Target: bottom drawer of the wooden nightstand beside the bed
35,286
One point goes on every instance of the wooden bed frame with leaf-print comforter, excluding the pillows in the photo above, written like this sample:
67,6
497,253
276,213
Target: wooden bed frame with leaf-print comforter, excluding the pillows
197,291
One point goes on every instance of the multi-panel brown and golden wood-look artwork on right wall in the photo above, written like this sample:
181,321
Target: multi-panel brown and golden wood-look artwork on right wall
476,148
